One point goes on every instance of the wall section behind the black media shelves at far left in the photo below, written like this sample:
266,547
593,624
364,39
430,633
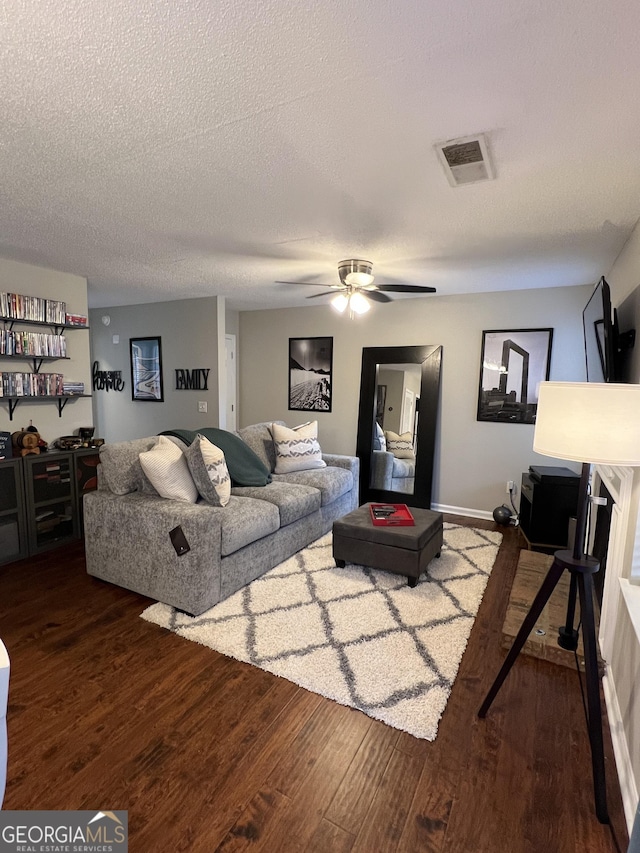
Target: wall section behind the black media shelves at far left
37,281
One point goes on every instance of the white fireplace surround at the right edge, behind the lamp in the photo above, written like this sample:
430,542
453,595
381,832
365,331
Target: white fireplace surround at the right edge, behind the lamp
621,603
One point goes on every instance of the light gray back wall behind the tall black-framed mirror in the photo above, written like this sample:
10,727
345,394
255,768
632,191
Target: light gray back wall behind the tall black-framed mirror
474,459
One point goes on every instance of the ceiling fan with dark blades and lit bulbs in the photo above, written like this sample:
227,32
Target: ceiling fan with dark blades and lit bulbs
356,287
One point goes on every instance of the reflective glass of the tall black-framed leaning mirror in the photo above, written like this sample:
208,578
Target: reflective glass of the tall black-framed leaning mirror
395,440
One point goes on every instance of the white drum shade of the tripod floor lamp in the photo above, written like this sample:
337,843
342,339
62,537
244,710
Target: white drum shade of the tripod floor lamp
589,422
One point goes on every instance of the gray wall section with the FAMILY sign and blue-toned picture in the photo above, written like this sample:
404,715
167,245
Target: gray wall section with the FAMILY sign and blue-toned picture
189,339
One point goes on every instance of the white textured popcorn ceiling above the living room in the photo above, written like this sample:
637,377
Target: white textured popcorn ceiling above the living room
167,150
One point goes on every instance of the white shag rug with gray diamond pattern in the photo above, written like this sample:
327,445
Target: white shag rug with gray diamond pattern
357,635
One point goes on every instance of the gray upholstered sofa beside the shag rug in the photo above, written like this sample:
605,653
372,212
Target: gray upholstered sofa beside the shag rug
127,525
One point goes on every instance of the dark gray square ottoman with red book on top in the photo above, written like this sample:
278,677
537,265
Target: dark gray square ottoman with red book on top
402,550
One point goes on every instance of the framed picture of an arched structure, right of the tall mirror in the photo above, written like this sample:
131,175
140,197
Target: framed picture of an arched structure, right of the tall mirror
513,363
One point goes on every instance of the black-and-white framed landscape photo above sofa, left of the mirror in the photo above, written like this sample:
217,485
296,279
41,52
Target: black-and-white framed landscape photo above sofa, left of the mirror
310,370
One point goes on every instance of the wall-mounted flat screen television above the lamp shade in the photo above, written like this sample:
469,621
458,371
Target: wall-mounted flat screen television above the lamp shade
600,336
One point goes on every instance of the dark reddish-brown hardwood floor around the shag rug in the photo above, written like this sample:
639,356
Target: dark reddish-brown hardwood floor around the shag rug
107,711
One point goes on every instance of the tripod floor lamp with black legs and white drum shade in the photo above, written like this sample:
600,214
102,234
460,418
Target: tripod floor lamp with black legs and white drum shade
588,423
